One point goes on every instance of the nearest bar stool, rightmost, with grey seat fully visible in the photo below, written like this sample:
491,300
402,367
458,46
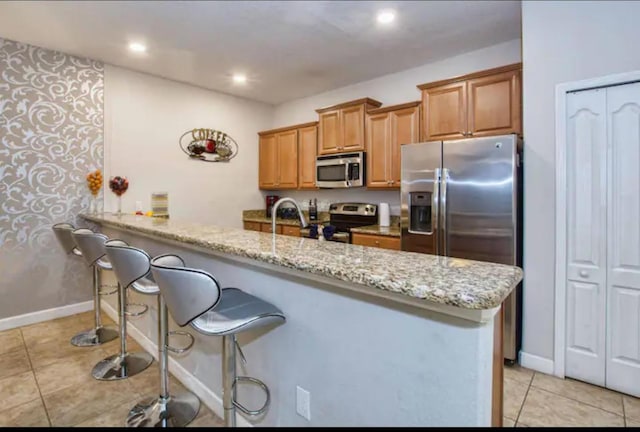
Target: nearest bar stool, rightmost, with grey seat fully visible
195,297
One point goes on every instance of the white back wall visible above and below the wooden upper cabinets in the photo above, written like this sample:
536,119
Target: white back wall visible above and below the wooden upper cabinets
389,89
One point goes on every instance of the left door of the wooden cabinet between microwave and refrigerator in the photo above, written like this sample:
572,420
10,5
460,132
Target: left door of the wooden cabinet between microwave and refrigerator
377,150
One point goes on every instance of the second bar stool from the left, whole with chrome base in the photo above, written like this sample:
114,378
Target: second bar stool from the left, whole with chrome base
124,364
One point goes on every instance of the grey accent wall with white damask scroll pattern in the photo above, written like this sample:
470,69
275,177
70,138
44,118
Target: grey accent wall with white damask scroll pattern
51,136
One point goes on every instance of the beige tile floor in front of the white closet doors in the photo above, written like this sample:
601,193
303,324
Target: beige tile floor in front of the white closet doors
535,399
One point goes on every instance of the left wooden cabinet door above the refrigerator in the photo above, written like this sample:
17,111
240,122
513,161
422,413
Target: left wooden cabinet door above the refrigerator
445,109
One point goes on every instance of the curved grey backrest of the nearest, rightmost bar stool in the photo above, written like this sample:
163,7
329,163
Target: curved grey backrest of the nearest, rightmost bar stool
187,292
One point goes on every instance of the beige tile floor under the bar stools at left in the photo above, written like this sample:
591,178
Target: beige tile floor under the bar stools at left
45,381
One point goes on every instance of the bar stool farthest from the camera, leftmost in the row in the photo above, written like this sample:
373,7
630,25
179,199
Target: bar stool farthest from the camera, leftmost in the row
99,334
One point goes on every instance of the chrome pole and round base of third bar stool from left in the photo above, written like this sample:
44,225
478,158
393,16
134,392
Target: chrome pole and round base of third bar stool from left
165,410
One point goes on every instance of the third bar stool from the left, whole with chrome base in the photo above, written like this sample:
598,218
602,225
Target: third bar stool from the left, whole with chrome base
131,266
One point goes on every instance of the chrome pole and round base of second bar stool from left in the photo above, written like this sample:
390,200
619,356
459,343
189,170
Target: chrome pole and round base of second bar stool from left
124,364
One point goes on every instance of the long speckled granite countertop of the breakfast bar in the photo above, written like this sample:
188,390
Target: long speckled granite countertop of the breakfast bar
442,280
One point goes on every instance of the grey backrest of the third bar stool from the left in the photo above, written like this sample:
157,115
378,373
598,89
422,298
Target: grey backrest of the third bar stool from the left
129,263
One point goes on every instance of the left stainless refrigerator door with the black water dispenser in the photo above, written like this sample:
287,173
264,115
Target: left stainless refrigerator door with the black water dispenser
419,196
